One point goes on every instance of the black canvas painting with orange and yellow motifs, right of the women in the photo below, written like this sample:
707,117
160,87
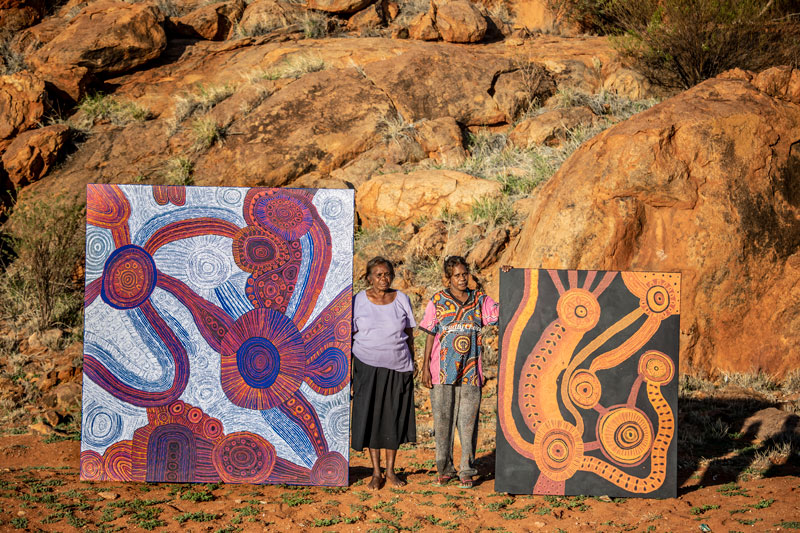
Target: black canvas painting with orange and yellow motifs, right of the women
588,388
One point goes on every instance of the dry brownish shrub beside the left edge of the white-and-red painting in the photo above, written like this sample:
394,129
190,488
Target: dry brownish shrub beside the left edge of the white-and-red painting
47,239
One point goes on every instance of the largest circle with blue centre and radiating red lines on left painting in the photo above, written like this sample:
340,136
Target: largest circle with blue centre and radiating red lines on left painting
263,360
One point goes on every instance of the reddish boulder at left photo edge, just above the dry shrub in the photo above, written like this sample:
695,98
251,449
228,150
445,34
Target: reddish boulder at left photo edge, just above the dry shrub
32,153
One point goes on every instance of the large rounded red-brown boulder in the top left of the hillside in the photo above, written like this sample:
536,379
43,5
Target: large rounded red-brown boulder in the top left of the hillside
107,37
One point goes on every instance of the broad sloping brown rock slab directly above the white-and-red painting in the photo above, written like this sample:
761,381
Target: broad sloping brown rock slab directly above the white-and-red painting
300,128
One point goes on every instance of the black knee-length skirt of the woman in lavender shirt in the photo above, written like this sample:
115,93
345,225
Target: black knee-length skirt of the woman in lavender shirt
383,407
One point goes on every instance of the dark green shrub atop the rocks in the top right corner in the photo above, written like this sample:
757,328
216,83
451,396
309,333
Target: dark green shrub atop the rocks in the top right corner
679,43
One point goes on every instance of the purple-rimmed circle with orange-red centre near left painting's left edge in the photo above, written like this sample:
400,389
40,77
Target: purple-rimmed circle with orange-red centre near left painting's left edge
128,277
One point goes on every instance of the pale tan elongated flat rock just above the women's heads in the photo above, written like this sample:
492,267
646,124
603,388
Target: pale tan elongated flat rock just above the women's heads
401,198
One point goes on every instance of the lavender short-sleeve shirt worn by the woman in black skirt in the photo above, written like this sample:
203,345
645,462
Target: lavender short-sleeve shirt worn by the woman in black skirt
379,337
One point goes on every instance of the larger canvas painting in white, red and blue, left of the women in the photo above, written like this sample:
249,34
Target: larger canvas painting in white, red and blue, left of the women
217,336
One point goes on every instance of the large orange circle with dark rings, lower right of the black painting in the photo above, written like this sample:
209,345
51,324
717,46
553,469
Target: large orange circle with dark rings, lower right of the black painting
626,435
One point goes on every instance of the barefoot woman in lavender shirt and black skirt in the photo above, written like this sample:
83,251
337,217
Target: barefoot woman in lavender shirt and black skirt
383,371
